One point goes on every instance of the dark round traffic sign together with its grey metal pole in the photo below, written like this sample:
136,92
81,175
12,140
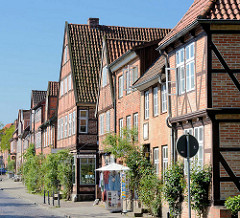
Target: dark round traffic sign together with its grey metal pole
187,147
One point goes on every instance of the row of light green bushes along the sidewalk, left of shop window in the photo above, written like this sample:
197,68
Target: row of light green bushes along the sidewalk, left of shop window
48,173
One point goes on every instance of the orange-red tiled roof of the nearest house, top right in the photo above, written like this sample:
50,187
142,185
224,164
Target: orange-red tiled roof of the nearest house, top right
205,9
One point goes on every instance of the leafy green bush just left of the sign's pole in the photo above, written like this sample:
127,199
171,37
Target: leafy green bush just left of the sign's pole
173,188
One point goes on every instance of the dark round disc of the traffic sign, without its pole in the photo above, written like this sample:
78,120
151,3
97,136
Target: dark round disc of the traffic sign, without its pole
182,146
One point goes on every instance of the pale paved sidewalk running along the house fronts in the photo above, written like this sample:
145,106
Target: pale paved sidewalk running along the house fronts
67,209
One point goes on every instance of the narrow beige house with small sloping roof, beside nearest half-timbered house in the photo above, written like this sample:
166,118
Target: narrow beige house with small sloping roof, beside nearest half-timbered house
153,132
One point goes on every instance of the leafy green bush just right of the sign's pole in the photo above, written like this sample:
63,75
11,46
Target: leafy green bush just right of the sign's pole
199,188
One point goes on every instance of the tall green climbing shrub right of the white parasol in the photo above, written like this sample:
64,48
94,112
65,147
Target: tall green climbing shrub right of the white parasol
142,177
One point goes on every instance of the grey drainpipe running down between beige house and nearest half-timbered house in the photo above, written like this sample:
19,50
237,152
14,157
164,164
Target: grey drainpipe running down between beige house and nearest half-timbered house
173,130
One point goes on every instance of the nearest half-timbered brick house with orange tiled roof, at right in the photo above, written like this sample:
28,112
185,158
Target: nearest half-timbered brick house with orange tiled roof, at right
202,56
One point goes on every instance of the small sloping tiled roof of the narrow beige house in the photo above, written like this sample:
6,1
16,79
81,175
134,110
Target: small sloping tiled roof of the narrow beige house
152,73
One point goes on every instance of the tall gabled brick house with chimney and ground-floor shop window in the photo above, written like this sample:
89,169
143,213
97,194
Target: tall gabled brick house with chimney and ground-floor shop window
79,80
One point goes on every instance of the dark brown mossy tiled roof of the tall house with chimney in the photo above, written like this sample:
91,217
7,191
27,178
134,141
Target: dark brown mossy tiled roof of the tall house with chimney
85,45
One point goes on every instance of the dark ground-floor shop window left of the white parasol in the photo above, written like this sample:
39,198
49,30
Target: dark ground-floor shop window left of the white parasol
87,171
